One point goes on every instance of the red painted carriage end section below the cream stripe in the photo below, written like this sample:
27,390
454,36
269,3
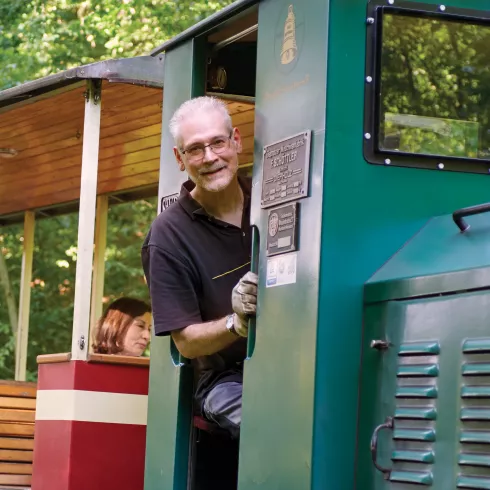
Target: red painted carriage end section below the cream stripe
86,455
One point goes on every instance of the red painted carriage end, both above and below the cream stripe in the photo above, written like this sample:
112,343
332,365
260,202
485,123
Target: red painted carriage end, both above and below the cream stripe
75,455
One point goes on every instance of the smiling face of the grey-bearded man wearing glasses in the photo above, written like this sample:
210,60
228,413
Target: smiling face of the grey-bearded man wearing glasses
212,168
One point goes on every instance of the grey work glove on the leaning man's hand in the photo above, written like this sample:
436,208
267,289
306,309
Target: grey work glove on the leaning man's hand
244,302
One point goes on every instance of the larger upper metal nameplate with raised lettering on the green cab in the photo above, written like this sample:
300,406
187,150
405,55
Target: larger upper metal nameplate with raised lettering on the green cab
285,170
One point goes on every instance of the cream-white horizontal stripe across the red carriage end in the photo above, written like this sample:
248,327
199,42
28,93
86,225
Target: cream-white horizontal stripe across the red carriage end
91,406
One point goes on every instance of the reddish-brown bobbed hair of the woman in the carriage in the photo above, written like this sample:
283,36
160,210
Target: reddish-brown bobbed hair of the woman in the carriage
114,324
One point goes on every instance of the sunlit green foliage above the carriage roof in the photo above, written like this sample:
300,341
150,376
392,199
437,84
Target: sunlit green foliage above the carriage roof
40,37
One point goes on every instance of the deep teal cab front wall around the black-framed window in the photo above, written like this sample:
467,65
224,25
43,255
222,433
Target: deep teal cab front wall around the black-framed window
369,212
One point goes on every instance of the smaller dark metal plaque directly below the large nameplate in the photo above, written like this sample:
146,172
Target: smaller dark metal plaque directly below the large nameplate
281,229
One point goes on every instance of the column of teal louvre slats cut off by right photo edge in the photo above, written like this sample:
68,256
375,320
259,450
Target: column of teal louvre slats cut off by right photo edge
474,455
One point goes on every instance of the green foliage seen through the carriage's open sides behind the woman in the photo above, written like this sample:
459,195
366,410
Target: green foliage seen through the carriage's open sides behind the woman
53,276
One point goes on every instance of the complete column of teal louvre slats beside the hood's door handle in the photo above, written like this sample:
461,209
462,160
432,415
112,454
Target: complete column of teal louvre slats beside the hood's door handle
415,413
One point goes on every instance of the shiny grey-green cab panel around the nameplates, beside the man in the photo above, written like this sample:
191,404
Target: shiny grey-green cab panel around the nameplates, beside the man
277,417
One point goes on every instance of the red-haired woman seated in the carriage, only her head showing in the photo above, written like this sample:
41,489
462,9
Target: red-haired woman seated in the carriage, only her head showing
124,328
